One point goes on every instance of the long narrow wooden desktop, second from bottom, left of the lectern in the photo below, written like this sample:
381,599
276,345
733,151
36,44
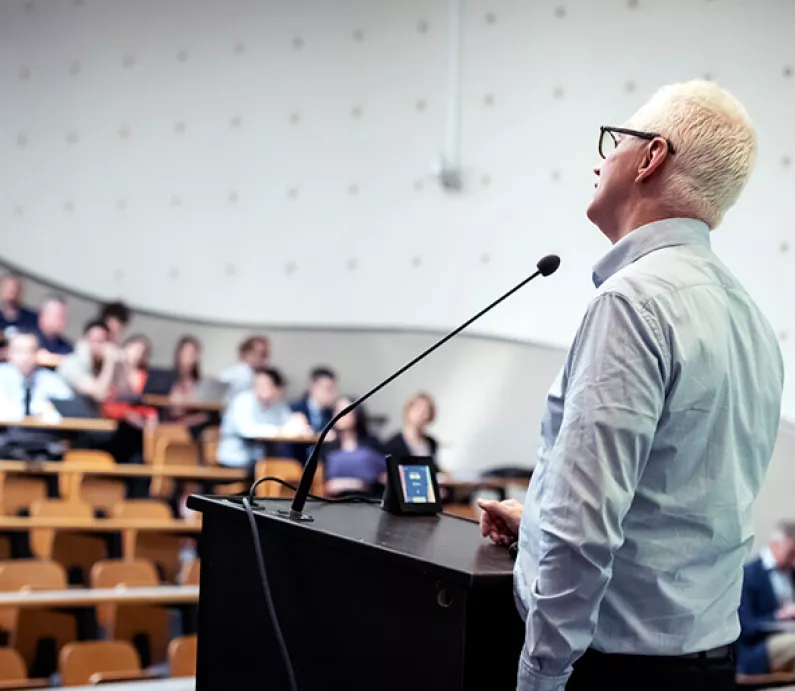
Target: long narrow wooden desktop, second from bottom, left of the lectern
88,597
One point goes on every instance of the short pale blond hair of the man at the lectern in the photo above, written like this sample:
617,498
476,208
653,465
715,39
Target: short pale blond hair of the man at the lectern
715,145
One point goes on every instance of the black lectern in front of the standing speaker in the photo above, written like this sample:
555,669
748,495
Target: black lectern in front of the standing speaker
366,600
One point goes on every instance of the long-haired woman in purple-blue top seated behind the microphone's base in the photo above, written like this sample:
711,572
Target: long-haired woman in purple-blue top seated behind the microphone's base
353,462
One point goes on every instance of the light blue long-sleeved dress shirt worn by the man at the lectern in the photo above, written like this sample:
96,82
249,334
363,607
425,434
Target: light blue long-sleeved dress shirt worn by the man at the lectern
655,441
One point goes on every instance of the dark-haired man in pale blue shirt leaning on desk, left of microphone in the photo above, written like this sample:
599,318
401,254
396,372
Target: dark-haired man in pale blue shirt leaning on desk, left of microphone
260,412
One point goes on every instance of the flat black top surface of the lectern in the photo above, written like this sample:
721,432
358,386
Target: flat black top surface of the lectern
446,543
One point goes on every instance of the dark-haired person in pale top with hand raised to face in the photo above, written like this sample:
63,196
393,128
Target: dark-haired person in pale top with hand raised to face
97,367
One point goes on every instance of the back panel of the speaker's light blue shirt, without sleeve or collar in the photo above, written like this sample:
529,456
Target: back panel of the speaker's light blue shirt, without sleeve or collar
691,516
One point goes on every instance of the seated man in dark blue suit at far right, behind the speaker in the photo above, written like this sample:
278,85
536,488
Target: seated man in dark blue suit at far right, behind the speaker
767,608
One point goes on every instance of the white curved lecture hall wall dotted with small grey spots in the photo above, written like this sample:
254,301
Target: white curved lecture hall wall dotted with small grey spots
273,164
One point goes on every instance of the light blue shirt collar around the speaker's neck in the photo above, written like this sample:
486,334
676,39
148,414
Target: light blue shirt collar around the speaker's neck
653,236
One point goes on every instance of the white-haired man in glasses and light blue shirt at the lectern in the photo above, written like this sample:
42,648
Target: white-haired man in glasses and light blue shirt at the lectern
659,429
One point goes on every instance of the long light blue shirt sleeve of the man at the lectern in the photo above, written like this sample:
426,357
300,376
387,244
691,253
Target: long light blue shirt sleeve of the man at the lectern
615,390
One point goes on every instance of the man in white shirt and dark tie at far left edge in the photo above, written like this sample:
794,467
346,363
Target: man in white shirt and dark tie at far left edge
25,389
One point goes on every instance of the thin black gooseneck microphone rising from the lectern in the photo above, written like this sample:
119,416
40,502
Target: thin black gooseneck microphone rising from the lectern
545,267
